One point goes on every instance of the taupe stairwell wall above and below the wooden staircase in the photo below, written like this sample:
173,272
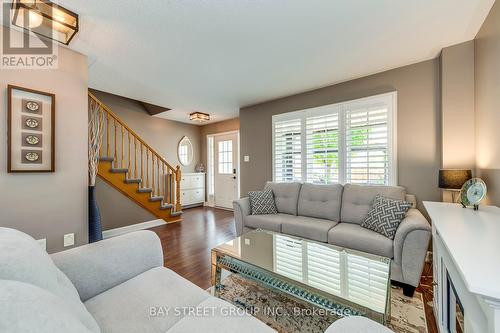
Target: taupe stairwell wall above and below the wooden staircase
162,135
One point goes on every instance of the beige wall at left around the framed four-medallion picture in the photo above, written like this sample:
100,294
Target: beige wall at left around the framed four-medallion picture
49,205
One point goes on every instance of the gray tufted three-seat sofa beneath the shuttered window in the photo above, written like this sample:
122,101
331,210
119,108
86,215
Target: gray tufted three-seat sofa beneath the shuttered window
333,214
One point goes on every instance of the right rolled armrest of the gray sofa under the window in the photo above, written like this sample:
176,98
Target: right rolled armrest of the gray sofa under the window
410,245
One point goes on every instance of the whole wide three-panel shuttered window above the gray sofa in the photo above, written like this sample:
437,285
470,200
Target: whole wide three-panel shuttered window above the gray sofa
350,142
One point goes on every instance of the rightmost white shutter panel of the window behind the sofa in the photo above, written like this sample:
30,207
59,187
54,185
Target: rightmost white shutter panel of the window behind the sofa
367,145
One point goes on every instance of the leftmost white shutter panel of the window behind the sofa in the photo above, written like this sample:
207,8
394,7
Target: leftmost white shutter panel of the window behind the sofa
287,150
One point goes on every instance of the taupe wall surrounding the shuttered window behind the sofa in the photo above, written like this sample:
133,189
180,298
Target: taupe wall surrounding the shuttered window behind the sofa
418,125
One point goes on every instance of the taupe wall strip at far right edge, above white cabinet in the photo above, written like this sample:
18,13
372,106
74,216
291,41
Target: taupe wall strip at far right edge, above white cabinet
487,101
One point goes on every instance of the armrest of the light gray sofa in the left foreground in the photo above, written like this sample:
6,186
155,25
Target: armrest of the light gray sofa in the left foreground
97,267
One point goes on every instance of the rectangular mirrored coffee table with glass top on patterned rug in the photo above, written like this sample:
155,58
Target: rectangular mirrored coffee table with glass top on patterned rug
343,281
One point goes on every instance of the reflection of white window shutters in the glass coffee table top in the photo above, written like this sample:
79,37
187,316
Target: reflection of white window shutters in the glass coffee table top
359,279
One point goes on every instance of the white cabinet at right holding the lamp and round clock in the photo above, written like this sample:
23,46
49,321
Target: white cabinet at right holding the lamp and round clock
466,265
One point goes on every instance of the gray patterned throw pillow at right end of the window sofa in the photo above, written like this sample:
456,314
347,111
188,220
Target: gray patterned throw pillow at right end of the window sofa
385,215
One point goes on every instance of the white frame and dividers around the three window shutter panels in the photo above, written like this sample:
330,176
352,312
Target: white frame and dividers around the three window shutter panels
391,101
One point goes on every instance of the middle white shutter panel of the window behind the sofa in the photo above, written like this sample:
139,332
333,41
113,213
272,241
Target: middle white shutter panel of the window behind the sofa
322,148
